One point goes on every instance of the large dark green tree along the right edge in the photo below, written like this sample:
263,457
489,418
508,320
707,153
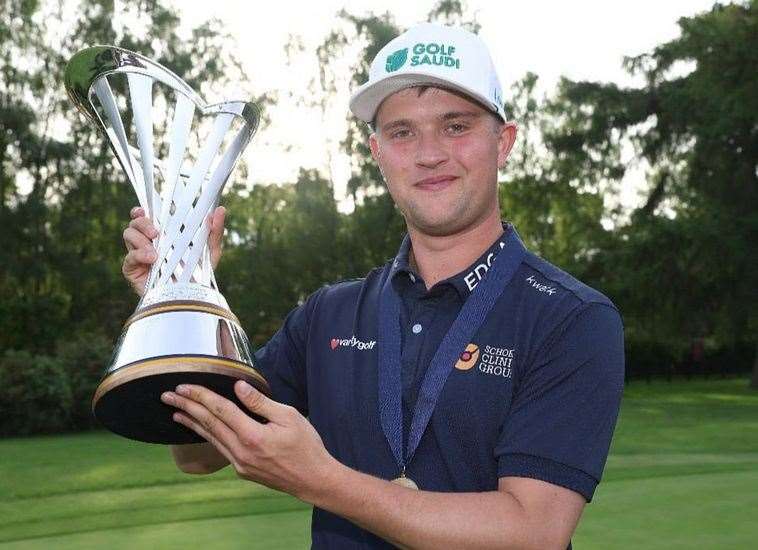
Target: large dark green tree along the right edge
687,256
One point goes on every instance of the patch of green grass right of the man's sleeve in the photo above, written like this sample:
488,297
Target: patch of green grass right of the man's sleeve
683,470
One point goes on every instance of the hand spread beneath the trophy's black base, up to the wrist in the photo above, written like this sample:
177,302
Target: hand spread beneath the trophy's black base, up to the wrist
286,454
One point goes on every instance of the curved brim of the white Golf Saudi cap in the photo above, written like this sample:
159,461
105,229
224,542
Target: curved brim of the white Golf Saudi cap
366,100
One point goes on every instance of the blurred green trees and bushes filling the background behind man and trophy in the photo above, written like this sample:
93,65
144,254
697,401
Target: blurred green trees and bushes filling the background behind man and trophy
682,267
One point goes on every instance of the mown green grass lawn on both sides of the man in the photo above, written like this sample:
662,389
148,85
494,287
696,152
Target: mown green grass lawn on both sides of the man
683,473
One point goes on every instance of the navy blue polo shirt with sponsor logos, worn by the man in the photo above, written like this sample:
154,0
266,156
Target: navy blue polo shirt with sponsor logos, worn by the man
535,393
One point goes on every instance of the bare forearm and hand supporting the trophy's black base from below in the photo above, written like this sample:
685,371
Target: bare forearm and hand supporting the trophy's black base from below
288,455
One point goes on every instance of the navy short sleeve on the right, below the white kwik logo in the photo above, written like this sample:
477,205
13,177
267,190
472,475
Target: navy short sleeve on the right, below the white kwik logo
564,411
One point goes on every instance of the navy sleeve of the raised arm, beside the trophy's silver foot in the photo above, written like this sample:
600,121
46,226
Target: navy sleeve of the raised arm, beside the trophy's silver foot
282,361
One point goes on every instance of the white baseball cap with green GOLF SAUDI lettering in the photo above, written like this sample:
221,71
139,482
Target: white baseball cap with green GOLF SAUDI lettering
430,54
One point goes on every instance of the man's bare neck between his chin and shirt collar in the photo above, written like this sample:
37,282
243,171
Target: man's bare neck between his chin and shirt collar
437,258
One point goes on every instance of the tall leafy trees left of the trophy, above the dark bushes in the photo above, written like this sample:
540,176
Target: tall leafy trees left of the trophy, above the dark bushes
63,201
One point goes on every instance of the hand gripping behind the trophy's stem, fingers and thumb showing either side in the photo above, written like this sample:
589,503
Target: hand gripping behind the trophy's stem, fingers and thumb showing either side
141,254
